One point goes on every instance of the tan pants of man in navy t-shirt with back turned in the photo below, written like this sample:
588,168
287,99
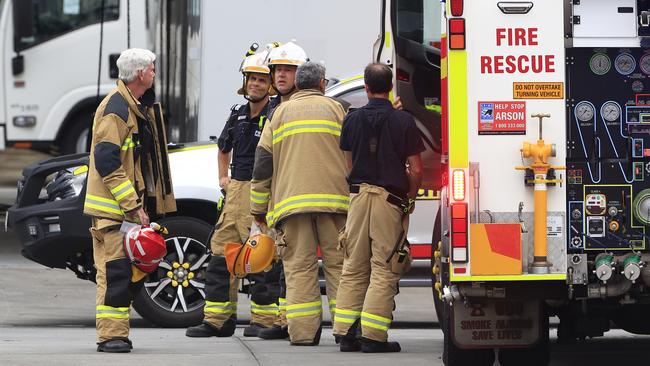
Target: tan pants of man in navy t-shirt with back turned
368,286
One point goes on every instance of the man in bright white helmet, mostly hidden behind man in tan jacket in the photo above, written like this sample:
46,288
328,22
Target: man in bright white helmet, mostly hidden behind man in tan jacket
283,61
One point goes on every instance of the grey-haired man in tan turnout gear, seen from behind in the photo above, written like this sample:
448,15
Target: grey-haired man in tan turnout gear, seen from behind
299,188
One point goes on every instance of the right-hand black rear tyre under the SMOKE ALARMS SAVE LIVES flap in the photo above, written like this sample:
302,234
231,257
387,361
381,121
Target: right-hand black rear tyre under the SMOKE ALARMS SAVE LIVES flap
538,355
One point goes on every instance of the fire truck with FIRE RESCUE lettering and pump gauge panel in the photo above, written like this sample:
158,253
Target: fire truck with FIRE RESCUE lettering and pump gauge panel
545,156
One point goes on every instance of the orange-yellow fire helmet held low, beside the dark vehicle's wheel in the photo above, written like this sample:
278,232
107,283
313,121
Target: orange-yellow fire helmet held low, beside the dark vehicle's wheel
253,257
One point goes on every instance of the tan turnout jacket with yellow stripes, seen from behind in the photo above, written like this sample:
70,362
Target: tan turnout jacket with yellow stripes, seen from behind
299,167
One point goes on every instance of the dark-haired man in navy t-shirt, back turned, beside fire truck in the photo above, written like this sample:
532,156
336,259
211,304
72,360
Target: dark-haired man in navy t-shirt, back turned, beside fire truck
382,148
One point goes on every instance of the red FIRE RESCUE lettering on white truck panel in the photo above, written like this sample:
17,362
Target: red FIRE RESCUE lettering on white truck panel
523,64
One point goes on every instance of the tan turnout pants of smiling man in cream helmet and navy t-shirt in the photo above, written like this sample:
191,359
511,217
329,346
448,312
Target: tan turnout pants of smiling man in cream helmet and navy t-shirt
220,286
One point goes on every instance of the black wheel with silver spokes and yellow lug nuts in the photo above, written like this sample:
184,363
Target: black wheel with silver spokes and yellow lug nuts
165,301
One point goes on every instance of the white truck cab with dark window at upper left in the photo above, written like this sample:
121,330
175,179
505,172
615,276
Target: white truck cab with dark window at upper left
50,67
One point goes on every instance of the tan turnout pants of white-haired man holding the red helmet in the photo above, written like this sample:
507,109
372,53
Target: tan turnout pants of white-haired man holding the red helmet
115,291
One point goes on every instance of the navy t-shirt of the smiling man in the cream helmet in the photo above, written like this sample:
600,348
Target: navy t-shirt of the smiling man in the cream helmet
241,135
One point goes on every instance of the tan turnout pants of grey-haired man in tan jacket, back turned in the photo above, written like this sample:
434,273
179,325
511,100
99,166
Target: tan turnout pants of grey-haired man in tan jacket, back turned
302,234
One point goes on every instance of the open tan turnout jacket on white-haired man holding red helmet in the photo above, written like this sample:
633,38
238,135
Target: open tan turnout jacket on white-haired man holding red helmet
115,180
